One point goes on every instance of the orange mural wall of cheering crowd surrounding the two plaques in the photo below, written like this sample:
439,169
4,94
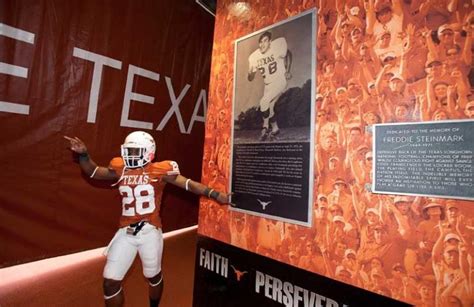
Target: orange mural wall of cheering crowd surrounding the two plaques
377,62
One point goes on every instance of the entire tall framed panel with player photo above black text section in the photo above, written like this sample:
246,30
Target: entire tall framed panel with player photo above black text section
272,130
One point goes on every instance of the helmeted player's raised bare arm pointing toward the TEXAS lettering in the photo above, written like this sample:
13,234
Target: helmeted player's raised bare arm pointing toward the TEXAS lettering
88,166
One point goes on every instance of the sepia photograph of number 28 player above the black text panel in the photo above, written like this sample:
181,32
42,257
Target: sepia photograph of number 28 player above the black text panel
272,84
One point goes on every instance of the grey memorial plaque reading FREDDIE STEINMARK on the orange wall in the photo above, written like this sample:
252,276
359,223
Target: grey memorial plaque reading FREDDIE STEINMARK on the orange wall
430,159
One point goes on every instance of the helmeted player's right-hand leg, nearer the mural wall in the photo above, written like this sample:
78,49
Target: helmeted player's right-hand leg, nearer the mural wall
151,252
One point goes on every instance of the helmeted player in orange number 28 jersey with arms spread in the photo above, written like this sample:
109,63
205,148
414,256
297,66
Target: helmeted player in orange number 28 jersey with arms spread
140,183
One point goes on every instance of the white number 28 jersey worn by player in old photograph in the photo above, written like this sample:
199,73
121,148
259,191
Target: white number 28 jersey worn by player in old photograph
271,64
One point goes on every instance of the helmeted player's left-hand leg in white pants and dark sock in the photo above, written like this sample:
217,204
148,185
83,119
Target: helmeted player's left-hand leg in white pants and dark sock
120,256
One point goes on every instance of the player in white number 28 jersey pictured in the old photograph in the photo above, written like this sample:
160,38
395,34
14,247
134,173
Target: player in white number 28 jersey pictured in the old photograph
273,60
